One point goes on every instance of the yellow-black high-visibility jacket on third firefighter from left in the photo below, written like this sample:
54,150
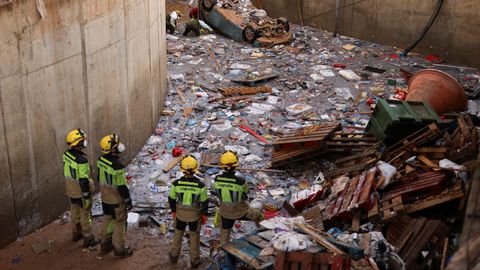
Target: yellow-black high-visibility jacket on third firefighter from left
188,198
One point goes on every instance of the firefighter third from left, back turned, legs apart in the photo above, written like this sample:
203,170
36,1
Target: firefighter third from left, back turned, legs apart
189,205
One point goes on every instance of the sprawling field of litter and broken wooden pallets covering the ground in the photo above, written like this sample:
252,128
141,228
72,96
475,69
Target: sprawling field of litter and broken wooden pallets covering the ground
298,117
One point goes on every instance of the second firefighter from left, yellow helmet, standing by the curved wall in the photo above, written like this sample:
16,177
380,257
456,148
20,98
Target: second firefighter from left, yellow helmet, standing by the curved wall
115,197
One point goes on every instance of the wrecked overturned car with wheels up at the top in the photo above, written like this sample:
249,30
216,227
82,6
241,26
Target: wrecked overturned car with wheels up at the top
241,21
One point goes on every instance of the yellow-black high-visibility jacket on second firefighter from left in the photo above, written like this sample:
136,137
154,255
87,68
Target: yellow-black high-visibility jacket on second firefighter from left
112,179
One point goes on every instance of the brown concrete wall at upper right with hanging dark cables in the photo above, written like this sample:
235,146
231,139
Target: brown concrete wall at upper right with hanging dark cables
455,35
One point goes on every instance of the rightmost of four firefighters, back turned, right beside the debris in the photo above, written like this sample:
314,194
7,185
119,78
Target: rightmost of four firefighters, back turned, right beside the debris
232,192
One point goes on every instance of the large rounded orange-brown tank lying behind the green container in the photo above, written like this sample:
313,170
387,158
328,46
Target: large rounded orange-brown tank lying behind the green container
440,90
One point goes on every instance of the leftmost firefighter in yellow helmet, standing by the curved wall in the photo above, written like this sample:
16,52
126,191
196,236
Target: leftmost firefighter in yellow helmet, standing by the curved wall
79,187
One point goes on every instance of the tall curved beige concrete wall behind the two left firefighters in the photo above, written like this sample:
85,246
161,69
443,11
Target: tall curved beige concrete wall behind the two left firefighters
95,64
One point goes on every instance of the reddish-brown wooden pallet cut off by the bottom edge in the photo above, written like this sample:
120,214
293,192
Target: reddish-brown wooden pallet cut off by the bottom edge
306,261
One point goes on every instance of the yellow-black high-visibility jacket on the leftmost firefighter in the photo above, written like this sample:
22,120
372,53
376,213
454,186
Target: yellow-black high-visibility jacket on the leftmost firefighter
77,174
